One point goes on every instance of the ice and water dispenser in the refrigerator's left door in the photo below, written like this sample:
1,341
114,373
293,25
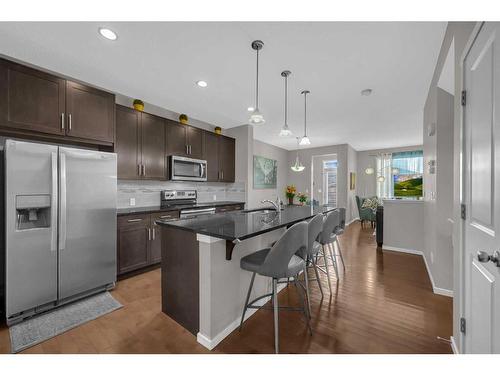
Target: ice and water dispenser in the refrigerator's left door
33,211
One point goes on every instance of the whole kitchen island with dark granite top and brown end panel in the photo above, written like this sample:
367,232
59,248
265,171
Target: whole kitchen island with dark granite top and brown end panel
203,287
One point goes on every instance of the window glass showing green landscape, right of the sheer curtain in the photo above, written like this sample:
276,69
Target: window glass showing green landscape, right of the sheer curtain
408,169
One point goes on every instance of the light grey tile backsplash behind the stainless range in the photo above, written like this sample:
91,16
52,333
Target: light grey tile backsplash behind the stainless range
147,193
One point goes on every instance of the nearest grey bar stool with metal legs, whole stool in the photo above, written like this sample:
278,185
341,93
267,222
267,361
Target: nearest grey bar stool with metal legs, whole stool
279,262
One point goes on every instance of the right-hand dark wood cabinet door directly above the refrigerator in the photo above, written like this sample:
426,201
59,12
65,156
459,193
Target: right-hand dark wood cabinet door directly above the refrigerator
90,113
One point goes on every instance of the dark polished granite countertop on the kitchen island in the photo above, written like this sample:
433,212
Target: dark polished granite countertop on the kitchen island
240,225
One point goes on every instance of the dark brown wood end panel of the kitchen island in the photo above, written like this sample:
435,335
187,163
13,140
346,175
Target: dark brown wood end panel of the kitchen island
180,277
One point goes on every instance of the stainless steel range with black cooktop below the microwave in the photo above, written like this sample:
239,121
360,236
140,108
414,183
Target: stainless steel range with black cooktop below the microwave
185,202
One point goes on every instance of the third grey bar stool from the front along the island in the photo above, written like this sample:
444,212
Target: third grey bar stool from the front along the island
326,241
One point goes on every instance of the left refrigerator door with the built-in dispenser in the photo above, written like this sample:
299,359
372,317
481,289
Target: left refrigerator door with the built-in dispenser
30,225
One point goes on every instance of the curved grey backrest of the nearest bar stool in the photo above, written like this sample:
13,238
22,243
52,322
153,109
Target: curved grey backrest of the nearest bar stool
276,262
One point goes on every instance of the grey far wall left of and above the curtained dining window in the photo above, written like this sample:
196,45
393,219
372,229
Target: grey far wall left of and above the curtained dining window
367,184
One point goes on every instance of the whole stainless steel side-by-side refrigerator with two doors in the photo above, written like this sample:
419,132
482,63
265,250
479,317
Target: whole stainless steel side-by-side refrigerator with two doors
60,225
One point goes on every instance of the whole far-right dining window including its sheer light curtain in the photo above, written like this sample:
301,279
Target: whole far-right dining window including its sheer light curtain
400,174
